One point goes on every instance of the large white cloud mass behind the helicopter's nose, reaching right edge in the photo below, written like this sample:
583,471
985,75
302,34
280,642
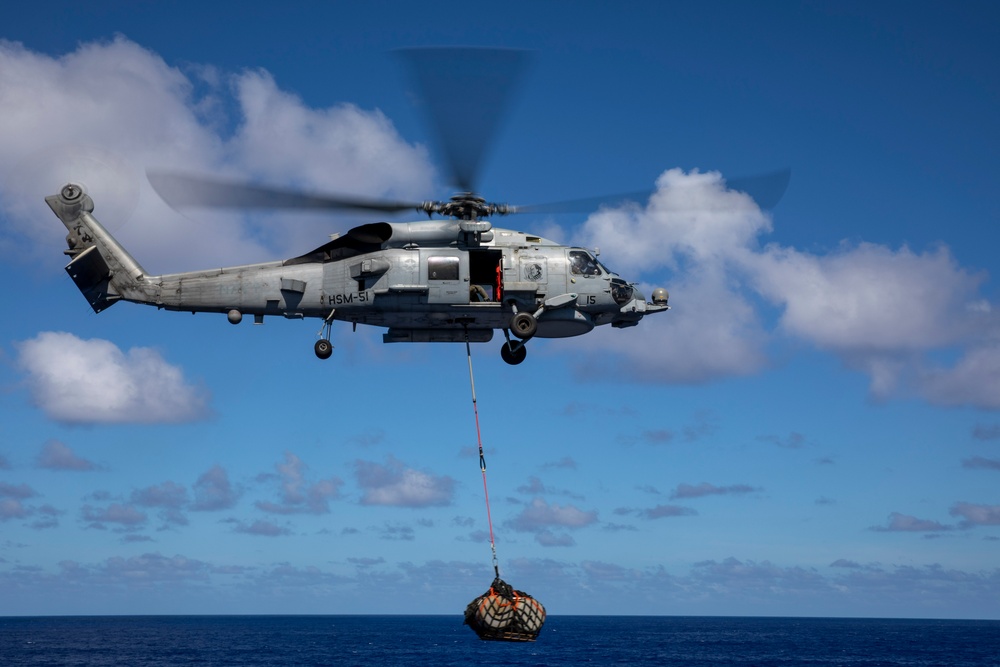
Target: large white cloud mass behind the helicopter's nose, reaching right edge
883,311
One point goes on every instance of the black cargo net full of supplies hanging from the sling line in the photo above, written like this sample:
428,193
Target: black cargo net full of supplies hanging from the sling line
504,614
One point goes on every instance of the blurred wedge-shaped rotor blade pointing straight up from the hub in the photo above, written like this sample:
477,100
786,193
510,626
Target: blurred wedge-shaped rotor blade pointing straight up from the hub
465,92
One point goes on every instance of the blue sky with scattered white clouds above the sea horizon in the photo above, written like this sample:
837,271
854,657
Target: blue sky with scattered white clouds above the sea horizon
812,430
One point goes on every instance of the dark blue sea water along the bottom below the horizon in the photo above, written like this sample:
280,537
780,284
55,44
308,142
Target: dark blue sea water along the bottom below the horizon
376,641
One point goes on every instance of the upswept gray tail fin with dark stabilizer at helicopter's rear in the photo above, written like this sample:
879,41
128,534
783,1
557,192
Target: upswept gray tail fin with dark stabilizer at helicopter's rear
101,268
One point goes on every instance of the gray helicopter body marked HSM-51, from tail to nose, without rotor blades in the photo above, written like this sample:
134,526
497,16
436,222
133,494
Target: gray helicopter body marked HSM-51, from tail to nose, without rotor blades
450,280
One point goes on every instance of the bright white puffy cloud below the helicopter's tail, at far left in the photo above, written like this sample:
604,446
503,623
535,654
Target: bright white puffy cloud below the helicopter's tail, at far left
92,381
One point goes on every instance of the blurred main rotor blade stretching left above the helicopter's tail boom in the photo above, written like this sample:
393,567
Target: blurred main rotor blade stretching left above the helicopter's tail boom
186,190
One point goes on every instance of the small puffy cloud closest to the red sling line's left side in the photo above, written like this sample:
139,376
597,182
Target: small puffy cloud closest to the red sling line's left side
395,484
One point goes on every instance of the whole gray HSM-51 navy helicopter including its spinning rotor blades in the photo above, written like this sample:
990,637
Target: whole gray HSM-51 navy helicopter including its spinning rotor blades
452,279
